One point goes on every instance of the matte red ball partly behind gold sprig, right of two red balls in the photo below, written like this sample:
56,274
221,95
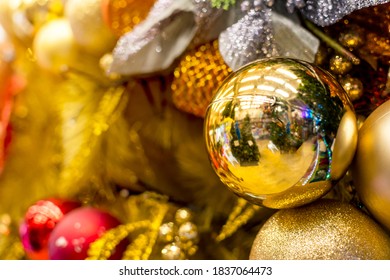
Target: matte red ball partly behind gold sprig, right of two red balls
72,236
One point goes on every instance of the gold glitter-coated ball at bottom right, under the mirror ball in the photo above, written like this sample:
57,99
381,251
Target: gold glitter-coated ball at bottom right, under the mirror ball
323,230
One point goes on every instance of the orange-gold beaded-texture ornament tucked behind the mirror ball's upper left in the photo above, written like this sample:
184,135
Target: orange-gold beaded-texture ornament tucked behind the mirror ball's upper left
199,73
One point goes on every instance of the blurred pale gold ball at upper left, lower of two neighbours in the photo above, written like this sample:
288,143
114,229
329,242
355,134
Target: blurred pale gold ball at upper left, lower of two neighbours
54,46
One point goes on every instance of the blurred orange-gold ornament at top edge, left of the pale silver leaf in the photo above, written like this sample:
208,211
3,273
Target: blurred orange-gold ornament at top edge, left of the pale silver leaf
122,15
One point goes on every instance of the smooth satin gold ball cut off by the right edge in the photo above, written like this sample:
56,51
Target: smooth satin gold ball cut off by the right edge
371,166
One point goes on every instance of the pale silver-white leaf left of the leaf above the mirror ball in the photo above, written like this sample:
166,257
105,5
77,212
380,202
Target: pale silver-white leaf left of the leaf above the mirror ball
156,42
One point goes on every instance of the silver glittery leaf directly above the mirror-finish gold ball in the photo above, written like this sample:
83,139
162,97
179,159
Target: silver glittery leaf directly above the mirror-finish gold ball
263,32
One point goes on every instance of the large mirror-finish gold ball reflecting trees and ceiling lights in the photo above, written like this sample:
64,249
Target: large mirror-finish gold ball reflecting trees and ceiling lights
279,132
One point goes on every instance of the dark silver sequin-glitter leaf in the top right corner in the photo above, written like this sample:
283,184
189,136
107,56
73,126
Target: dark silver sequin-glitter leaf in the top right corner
327,12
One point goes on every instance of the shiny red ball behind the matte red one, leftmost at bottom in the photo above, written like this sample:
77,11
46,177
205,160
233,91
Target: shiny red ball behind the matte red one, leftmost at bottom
39,221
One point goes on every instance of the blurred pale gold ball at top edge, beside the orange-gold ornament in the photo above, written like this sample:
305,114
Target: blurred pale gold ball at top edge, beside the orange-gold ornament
88,27
